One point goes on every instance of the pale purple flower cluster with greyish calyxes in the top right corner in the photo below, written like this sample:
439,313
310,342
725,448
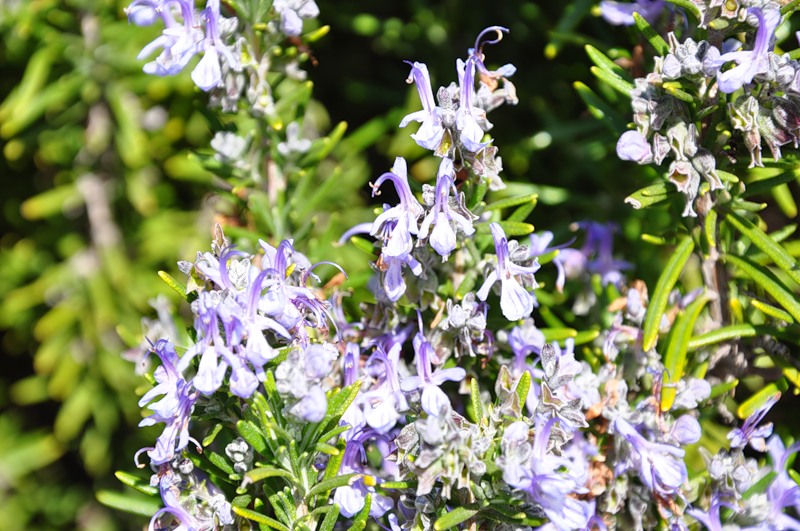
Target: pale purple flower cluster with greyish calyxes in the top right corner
763,106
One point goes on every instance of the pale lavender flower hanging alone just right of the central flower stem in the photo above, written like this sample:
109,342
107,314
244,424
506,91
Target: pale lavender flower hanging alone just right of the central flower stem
515,301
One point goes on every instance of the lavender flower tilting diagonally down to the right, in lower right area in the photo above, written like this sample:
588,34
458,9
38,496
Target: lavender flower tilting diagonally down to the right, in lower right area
659,466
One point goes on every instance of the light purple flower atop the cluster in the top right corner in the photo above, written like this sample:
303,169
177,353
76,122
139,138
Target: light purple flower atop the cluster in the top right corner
751,62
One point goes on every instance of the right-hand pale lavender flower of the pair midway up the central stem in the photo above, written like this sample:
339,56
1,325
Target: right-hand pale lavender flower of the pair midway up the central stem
443,217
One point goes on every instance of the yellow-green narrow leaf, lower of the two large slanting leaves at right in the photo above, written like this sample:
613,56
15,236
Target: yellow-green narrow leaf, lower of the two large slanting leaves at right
678,348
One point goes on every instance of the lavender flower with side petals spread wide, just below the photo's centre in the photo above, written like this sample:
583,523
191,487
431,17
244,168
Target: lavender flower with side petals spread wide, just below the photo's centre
433,400
